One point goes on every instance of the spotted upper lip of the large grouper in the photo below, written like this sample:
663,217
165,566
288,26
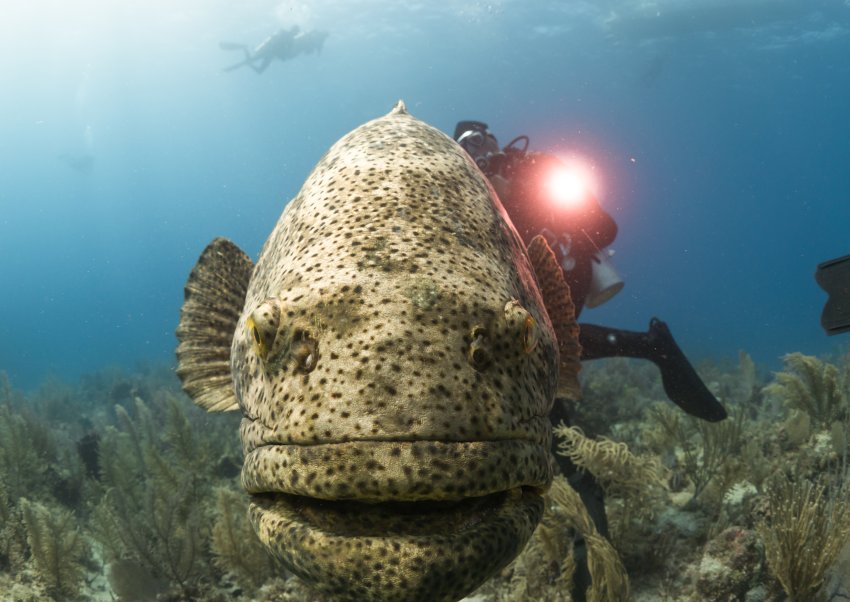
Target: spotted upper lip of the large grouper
398,471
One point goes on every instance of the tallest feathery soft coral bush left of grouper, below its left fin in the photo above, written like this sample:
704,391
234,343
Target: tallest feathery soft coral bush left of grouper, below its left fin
152,511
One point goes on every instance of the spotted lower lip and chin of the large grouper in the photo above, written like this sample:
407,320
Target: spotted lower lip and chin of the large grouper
401,551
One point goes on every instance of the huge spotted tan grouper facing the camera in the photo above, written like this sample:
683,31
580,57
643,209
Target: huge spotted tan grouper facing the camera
395,364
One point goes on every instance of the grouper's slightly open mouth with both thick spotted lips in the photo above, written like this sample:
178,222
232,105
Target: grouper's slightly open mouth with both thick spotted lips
449,516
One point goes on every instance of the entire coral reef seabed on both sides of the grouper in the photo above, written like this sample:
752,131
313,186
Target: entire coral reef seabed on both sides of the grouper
119,488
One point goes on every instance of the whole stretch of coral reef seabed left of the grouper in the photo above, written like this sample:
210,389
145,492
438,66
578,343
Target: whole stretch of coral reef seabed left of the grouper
125,495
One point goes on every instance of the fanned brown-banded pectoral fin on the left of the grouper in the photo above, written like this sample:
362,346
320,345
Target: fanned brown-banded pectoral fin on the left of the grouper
214,296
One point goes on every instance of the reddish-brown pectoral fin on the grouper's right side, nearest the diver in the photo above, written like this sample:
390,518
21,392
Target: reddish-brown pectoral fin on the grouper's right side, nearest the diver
562,313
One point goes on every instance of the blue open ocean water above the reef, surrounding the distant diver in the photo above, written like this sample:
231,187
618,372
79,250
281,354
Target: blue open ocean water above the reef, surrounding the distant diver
718,129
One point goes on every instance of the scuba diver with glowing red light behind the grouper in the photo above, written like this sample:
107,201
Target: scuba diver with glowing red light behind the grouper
578,230
